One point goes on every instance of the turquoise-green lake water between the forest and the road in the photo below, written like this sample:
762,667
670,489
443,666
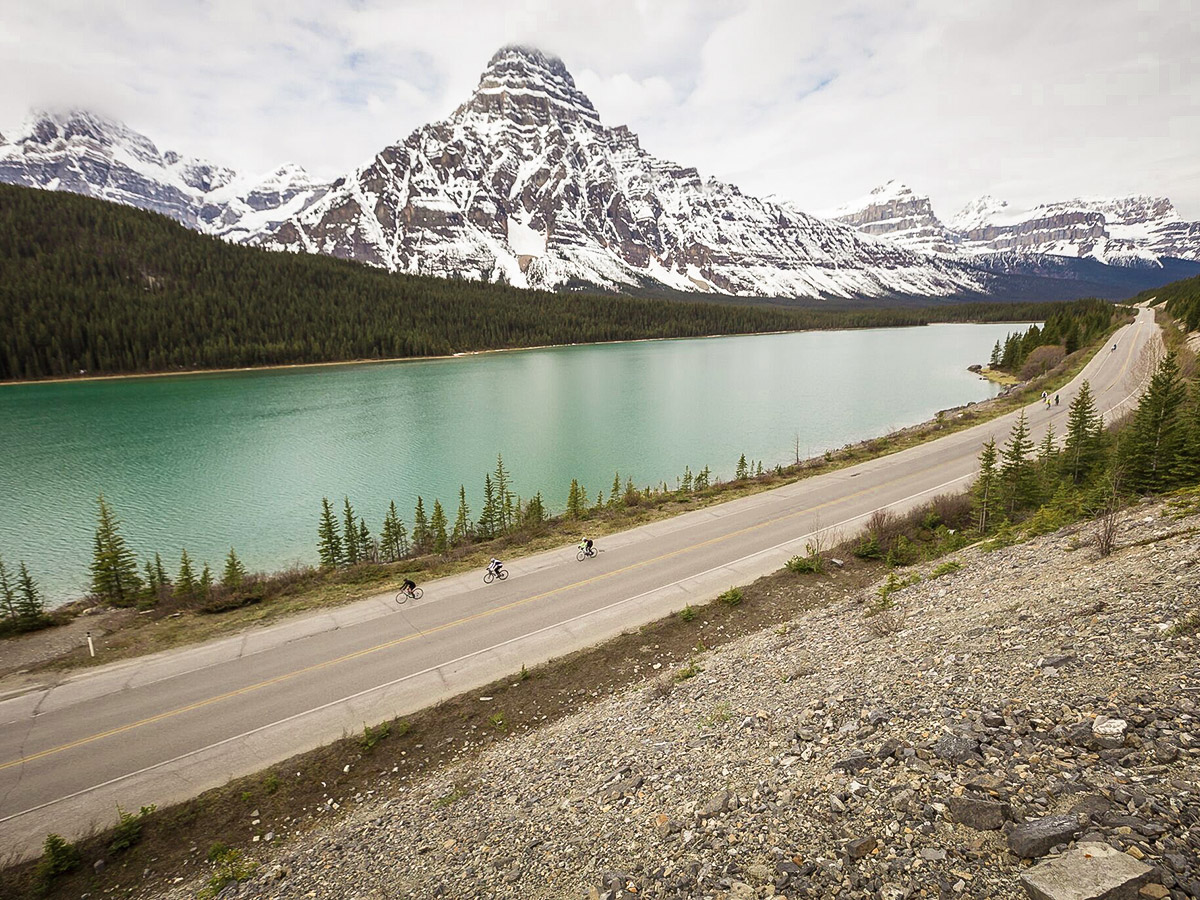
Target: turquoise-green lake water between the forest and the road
213,461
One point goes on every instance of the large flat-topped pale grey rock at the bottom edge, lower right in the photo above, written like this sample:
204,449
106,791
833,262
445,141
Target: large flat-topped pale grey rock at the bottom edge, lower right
1090,872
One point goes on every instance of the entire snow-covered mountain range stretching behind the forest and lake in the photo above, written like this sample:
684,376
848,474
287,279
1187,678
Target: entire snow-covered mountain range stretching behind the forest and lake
525,185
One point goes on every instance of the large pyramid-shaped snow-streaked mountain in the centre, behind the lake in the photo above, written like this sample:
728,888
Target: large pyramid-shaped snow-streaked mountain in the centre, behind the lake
524,184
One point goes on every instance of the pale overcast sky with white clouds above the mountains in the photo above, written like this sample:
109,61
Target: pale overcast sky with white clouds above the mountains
814,101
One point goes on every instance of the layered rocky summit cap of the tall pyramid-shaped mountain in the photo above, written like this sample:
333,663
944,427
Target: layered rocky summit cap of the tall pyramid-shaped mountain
530,88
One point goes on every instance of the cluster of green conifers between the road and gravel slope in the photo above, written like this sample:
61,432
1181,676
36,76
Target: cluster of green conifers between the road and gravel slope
1156,449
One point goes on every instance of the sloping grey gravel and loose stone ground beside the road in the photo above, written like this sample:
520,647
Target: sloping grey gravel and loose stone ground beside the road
1024,725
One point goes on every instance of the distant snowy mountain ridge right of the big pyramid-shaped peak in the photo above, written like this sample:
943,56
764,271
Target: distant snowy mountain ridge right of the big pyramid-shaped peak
1124,232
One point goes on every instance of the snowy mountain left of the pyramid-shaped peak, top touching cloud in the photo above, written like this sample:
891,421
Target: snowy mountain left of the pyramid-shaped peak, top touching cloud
93,155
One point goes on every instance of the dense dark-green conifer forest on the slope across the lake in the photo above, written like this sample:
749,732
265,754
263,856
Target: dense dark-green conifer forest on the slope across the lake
100,289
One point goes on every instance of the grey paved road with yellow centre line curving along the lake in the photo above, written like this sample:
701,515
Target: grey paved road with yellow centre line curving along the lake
165,728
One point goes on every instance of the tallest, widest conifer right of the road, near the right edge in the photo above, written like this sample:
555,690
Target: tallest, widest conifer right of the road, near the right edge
1159,430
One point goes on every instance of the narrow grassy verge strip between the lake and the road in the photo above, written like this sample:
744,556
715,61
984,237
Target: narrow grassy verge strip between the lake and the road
304,591
